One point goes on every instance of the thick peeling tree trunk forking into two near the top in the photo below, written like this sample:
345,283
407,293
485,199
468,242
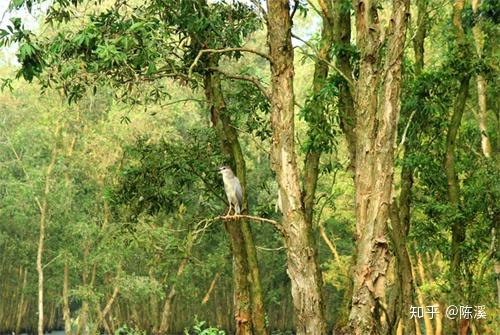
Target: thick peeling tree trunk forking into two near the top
378,104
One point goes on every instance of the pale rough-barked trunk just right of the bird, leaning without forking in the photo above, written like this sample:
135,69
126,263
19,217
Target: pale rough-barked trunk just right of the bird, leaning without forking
303,270
